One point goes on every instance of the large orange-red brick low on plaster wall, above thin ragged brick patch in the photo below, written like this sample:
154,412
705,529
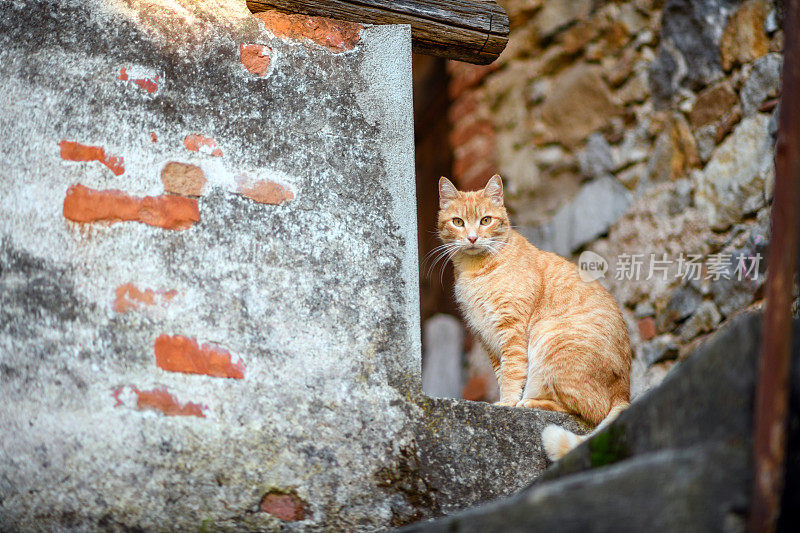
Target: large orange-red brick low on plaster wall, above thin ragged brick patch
182,354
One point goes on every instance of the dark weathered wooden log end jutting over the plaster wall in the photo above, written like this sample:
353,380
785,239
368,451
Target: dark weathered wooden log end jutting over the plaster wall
475,31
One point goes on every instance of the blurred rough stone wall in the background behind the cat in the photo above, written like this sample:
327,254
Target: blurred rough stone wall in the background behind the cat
642,131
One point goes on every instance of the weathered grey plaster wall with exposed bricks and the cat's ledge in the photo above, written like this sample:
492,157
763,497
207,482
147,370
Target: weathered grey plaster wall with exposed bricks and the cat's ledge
208,295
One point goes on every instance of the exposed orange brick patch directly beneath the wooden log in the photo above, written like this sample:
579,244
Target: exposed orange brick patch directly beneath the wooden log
335,35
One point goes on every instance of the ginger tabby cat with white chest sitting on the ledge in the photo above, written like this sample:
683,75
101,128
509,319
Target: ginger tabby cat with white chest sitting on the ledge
555,341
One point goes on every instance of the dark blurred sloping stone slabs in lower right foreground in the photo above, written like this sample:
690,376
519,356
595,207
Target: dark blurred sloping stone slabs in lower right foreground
678,459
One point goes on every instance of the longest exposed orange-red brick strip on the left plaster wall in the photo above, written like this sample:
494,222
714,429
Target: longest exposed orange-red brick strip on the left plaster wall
84,205
